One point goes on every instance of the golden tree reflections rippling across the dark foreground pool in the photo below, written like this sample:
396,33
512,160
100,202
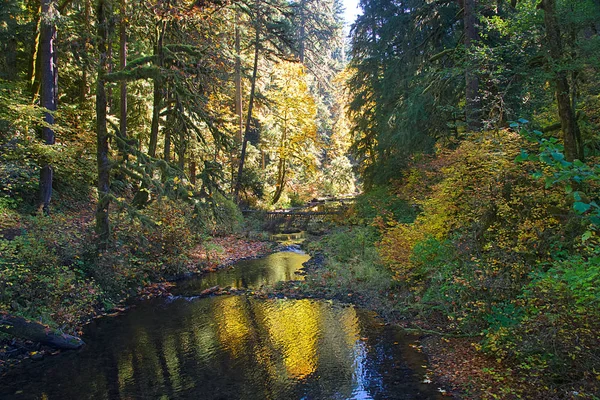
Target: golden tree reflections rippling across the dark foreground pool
275,347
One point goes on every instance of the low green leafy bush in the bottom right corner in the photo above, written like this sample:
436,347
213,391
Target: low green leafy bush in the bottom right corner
555,320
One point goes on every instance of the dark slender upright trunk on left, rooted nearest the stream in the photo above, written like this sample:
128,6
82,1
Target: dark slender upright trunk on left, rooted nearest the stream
102,217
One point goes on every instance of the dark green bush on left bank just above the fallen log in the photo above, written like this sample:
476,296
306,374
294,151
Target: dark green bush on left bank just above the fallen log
41,275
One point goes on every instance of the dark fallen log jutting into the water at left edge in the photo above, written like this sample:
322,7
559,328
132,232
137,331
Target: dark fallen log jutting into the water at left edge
34,331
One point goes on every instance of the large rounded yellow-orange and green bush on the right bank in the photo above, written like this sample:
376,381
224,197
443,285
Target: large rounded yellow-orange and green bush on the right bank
498,251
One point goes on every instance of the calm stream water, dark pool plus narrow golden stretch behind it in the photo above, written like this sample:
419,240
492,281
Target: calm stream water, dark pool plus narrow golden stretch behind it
232,347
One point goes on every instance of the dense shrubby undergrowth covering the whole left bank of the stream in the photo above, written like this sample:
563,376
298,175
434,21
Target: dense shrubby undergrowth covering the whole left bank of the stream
50,268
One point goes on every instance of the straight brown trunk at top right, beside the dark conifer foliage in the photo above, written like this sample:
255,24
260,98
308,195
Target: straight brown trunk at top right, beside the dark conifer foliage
472,97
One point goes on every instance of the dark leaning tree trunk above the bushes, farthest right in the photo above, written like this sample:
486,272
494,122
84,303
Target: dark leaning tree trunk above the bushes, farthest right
566,112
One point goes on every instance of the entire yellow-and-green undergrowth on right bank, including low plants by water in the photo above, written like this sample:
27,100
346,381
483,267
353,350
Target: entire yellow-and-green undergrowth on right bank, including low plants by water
504,249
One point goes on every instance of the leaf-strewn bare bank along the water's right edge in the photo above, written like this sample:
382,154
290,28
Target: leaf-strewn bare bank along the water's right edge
455,362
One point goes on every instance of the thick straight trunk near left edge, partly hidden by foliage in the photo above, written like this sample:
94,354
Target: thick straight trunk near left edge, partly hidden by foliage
49,85
